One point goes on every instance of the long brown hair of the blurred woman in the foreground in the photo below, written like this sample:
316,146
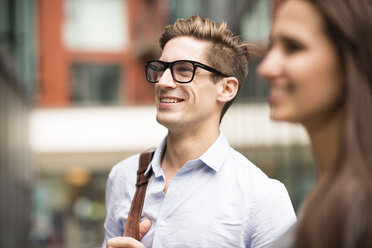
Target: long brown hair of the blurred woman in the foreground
338,211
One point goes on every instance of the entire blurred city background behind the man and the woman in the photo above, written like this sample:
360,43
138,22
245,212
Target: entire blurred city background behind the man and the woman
74,102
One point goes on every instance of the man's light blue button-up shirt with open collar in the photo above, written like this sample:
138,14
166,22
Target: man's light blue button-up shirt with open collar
218,200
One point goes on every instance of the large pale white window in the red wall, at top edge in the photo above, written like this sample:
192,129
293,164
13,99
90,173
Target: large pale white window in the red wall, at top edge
96,25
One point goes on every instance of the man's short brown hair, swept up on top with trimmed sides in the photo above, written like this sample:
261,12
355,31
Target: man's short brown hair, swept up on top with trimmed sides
226,52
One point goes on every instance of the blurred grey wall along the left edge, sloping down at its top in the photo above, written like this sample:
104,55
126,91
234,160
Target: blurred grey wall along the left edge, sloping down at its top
16,172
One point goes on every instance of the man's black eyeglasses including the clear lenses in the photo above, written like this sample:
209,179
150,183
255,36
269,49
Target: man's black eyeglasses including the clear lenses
183,71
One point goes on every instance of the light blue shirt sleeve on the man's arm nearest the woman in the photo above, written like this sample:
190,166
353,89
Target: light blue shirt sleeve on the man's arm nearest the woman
274,216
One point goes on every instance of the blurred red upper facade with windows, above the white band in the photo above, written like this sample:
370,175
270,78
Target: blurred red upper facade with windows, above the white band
63,63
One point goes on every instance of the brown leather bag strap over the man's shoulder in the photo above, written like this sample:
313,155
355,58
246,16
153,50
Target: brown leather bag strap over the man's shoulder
132,224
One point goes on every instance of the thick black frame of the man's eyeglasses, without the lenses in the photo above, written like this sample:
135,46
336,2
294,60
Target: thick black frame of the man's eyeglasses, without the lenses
170,66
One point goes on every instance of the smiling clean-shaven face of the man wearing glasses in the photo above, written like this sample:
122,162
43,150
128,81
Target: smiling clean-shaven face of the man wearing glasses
192,106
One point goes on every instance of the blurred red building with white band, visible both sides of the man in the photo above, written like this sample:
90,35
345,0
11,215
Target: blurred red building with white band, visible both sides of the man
94,106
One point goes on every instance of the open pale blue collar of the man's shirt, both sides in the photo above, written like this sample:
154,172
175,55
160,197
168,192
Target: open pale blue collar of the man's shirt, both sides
214,157
